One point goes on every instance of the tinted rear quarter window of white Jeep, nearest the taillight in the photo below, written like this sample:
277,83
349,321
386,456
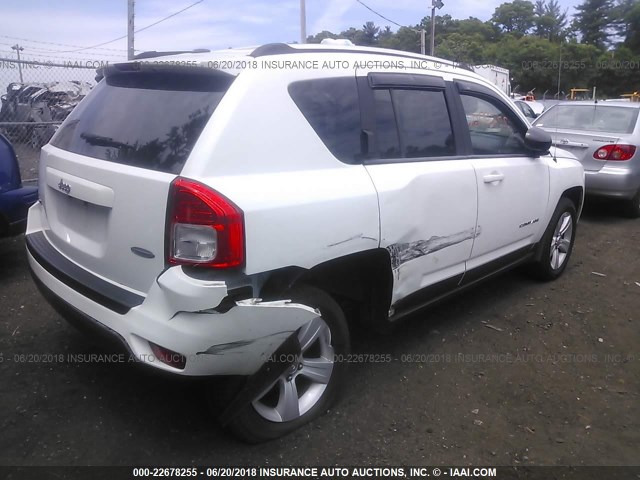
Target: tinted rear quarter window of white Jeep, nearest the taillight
331,107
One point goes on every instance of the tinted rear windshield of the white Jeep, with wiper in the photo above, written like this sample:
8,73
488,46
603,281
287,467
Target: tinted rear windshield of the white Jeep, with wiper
144,119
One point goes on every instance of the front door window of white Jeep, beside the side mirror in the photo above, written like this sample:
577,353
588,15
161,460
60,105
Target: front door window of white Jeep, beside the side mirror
493,129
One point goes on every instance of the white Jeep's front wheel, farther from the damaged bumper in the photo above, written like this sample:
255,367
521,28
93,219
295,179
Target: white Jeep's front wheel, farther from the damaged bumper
557,242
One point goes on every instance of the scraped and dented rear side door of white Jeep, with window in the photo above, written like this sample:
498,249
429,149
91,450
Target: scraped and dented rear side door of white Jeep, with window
427,193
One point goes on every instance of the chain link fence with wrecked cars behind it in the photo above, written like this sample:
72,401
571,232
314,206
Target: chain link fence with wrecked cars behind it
36,97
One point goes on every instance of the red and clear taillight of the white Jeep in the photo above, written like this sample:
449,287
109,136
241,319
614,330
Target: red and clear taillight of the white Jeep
204,228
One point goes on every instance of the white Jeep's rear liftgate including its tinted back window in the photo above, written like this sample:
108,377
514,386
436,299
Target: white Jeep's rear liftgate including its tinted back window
105,177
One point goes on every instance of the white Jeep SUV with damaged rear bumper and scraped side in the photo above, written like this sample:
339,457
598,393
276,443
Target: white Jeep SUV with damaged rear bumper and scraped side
217,213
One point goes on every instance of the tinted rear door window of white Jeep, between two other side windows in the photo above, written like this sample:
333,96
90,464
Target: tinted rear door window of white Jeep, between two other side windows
413,124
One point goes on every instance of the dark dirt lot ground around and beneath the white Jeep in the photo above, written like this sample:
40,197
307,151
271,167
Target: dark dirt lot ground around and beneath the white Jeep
514,372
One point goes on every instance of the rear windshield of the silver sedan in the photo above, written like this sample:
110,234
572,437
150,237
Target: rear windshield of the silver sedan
592,118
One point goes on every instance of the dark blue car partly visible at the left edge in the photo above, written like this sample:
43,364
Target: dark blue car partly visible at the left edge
15,199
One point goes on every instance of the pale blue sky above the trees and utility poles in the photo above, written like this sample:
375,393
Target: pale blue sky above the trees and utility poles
55,31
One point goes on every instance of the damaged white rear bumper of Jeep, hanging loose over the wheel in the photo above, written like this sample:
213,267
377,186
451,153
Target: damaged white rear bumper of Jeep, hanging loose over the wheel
177,314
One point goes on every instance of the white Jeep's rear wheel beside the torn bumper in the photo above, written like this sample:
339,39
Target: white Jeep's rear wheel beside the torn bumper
312,386
